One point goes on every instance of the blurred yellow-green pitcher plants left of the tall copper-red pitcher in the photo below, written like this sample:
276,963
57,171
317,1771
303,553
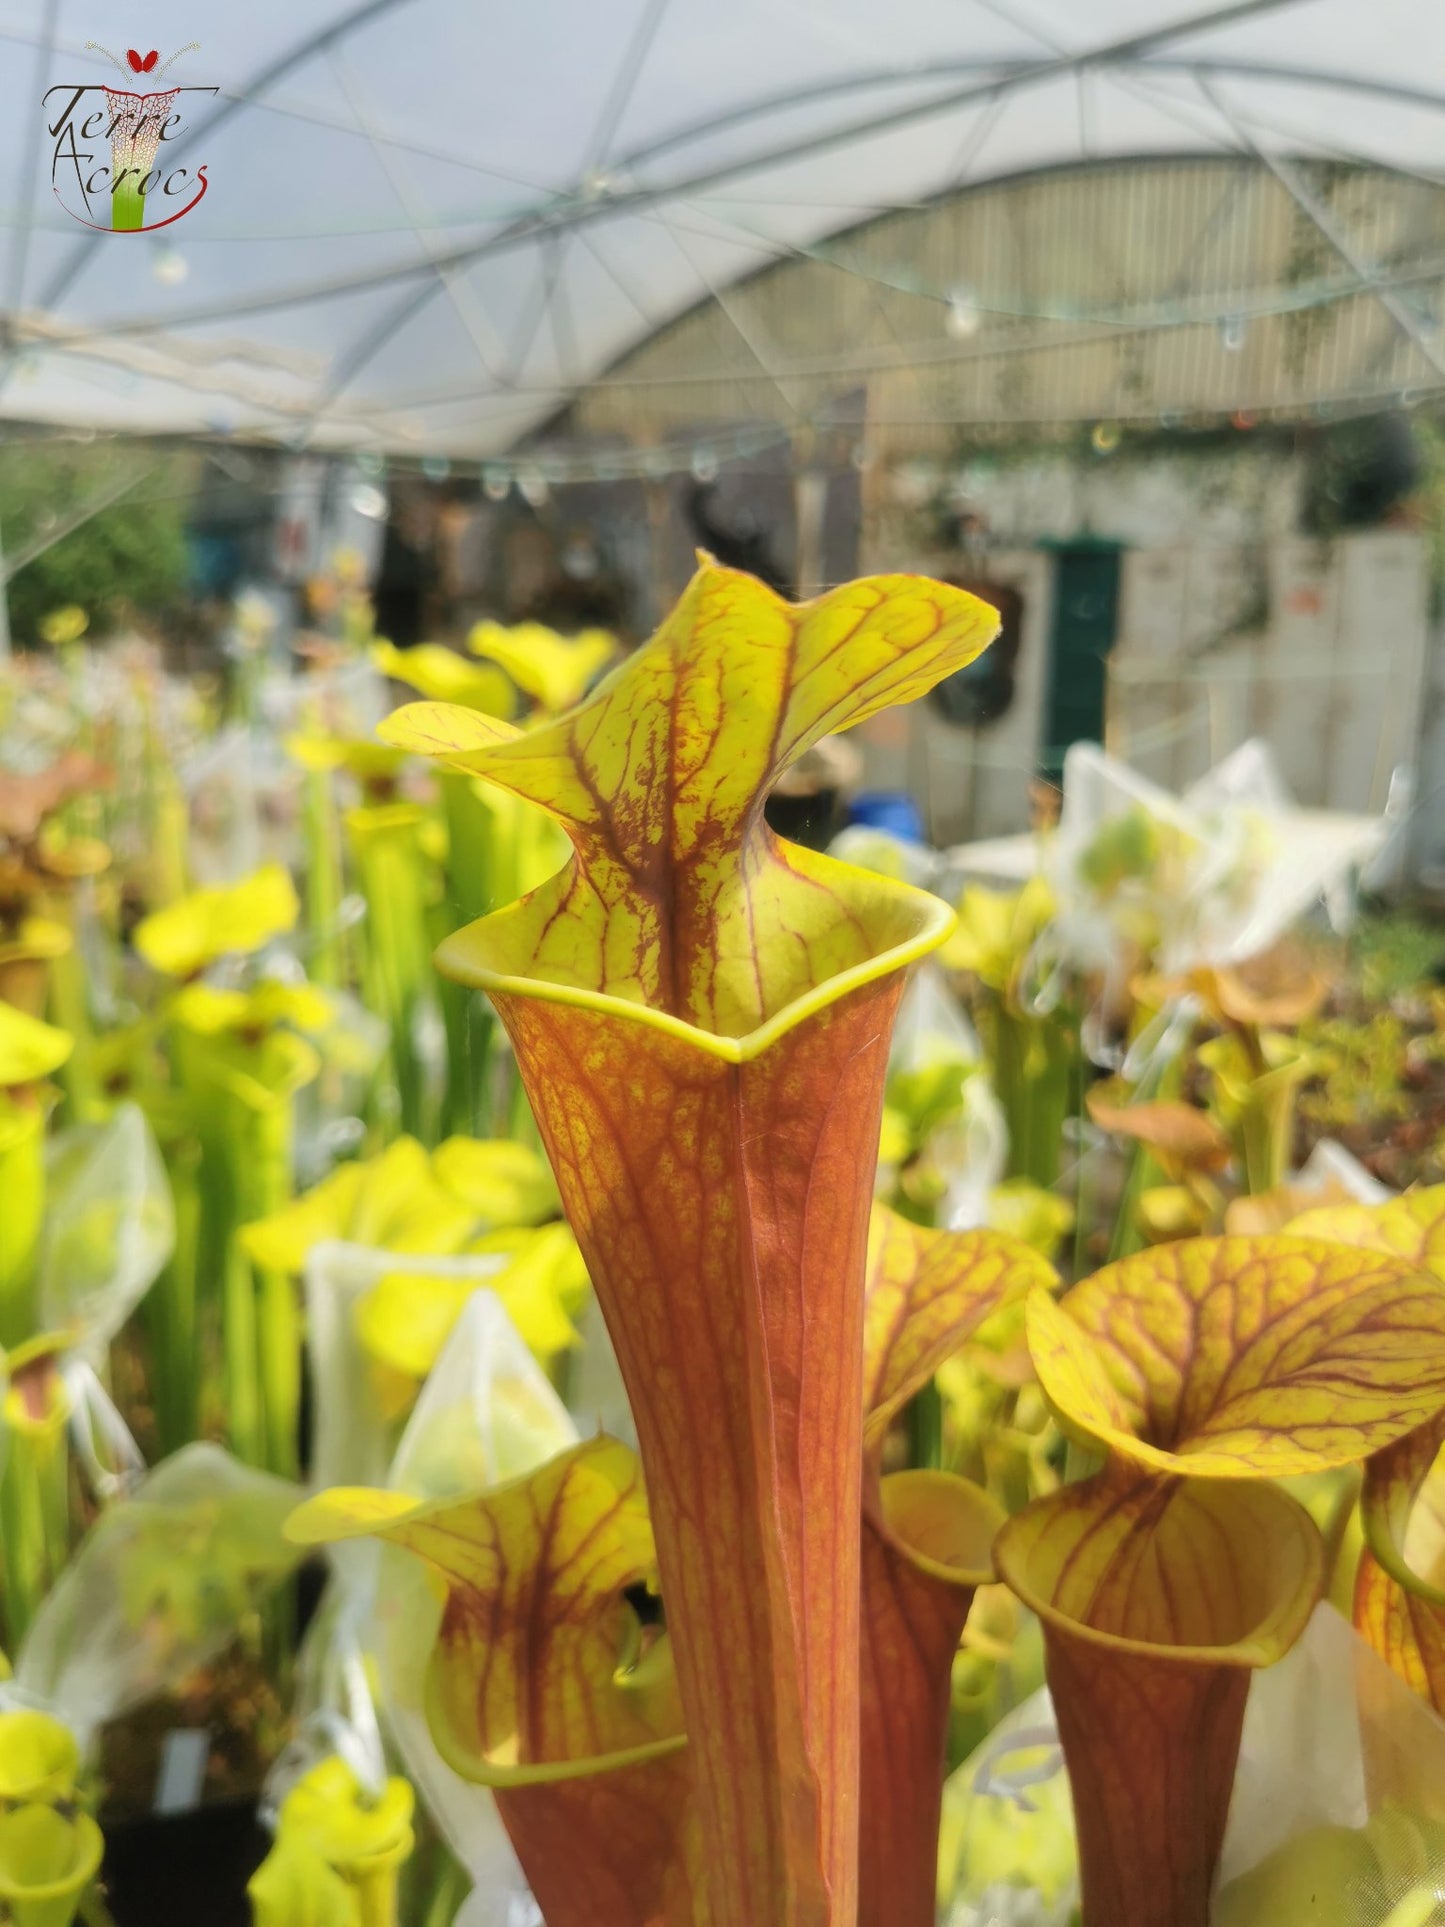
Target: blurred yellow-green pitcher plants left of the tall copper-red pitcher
205,1074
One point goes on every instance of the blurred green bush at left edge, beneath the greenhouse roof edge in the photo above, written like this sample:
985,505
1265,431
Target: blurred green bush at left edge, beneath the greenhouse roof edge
126,564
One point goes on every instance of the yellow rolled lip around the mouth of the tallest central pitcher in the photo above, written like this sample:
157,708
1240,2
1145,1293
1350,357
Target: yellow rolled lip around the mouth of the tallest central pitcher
910,924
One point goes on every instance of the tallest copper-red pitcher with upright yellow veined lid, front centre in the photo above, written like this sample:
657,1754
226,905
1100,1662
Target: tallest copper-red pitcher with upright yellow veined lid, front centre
702,1018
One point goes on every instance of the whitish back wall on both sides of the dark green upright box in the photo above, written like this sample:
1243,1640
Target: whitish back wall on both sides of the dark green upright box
1319,647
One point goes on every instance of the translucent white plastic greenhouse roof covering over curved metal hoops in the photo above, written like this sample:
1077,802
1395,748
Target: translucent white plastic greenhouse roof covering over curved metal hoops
431,223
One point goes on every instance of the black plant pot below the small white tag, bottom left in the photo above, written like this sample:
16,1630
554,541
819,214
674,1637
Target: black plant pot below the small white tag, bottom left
184,1870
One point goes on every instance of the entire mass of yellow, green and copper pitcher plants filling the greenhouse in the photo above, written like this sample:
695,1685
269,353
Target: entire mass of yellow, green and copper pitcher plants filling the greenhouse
714,1679
